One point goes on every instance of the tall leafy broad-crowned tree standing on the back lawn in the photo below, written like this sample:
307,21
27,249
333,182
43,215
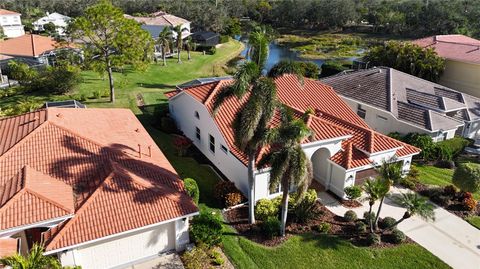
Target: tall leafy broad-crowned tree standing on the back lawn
111,40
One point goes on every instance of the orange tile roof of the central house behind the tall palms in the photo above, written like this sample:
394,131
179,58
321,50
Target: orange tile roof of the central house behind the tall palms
333,118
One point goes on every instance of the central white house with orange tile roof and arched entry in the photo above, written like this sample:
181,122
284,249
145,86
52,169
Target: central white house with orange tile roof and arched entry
343,149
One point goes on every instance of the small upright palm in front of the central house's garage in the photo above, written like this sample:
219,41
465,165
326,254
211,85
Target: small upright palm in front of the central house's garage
389,172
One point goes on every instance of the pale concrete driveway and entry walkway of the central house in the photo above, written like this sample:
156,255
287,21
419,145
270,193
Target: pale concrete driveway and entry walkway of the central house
449,237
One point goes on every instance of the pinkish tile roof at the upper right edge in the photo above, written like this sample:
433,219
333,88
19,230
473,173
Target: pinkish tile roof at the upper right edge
455,47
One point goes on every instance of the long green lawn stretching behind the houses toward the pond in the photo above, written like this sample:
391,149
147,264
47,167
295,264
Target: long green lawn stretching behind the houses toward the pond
151,83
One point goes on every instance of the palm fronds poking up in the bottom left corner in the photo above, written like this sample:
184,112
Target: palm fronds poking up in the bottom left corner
34,260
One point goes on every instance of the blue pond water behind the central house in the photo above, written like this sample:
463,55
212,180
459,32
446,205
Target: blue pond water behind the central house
278,53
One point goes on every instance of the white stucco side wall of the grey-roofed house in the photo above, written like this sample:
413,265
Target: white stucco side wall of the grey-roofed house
375,118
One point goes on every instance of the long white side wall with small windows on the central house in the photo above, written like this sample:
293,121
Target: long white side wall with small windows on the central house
182,110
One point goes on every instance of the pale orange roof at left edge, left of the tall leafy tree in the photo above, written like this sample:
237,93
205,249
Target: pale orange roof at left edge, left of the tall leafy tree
29,45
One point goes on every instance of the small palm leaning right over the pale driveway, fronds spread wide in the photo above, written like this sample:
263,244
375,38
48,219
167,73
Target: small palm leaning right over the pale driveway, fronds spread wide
415,205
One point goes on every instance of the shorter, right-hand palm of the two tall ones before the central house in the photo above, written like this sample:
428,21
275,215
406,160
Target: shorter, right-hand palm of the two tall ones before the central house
290,167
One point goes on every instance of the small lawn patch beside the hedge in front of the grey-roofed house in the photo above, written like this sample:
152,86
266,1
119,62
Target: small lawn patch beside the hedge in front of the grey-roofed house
431,175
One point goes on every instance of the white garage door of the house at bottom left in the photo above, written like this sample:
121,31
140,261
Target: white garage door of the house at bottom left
126,249
